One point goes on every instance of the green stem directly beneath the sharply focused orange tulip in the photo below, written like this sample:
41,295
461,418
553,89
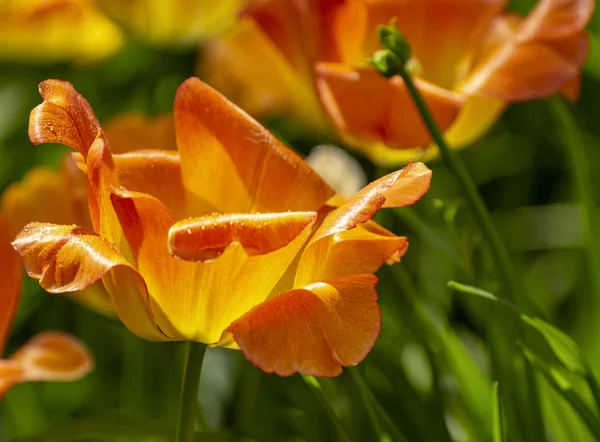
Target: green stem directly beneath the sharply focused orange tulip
189,391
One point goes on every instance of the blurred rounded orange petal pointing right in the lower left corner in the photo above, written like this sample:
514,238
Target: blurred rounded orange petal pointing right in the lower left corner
49,356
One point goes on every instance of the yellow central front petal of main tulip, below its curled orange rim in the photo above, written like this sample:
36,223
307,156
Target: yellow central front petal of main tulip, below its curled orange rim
197,300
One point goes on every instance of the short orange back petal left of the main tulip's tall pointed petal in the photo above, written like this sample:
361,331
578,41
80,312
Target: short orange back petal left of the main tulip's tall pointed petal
155,172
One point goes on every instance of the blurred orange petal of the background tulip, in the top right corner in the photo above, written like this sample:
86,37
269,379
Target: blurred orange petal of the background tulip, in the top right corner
553,36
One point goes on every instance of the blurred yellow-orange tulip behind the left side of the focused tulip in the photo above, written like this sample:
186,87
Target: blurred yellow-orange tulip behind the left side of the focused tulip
60,196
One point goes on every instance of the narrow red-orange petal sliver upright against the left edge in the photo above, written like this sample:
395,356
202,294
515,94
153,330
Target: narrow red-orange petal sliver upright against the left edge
10,282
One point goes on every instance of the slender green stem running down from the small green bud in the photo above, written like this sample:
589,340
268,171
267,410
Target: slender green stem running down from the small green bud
457,167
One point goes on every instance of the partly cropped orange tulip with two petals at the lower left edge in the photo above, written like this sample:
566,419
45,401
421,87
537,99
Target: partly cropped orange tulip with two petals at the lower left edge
49,356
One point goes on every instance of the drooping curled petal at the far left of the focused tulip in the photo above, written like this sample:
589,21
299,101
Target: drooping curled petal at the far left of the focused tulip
70,258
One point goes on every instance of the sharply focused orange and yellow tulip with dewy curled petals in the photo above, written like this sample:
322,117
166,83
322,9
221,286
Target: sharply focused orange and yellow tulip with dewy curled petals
228,242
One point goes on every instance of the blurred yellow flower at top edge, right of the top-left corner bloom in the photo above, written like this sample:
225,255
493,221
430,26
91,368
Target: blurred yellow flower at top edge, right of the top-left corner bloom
173,22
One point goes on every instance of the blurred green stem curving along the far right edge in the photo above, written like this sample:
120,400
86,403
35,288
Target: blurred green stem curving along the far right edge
580,167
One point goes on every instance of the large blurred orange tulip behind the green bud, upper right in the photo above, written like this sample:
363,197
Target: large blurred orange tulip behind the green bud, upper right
470,60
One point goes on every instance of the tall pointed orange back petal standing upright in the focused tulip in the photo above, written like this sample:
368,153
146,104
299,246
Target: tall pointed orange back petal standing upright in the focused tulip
243,167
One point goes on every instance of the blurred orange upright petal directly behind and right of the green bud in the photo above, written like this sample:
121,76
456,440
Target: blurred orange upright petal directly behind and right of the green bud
442,33
